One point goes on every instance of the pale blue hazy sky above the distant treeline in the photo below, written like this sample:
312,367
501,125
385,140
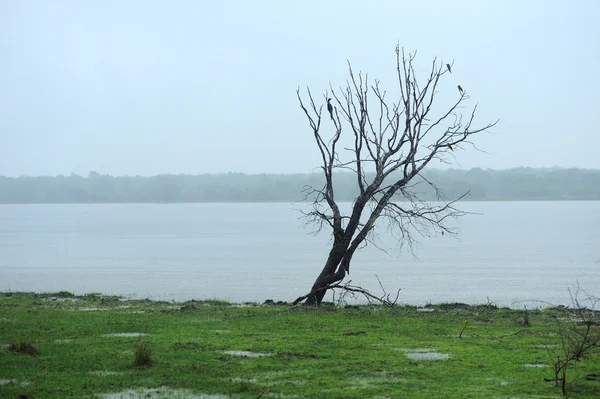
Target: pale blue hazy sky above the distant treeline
148,87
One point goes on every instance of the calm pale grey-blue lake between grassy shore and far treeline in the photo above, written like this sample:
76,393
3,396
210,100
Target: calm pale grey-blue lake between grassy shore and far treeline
509,253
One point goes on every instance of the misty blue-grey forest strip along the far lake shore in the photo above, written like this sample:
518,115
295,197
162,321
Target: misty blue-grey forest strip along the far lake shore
484,185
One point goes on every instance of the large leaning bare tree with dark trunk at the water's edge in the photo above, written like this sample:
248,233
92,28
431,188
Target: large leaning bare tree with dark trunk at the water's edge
388,146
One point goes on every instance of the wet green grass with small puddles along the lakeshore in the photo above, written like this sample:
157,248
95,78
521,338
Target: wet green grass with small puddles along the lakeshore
87,345
